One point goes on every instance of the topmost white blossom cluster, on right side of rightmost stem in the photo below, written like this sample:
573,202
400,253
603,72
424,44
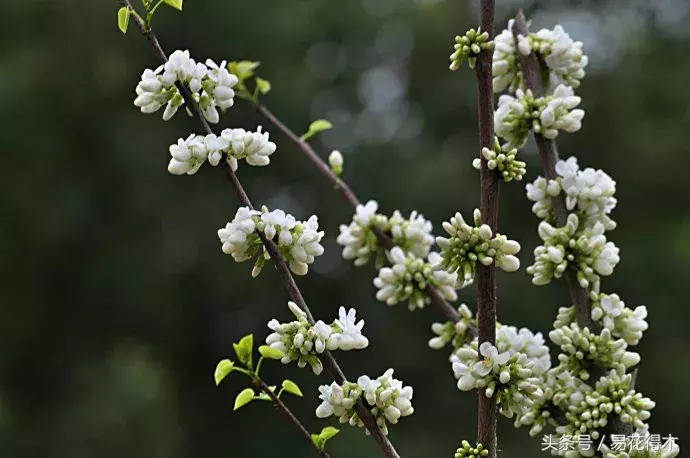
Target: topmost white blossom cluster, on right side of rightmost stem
563,56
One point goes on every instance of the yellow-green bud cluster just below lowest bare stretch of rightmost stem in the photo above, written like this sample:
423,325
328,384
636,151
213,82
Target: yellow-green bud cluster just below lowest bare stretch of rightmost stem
580,346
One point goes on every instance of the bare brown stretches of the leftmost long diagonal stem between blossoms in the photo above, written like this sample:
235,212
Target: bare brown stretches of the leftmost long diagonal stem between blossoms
286,277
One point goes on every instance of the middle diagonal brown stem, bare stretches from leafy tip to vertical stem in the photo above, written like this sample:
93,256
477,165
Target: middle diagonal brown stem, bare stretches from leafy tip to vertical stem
341,185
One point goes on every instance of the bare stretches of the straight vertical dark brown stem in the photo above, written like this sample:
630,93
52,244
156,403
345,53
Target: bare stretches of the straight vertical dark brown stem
486,275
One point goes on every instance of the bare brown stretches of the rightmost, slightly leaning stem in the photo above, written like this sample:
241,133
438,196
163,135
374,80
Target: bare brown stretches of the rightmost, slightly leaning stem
548,153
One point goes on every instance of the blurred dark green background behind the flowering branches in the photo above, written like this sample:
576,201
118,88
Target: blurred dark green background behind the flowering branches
116,301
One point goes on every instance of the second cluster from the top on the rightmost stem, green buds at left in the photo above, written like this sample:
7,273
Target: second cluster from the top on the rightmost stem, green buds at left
517,115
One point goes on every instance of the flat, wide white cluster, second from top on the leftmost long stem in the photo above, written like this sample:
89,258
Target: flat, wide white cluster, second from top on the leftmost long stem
189,154
